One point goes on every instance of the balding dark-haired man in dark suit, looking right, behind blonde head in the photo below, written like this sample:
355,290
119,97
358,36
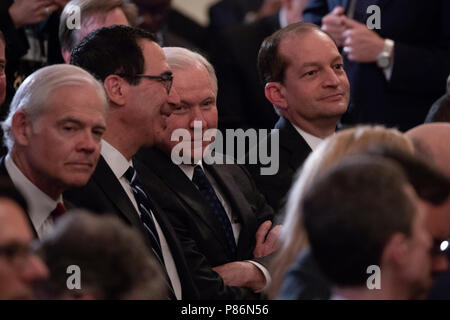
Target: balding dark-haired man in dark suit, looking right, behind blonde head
306,83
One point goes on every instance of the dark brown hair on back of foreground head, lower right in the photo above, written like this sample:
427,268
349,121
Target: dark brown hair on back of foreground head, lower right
350,214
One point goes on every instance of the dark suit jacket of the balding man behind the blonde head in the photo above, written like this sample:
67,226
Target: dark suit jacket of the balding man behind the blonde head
293,150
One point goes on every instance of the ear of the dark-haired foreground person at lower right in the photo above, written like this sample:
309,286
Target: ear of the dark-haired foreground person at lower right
396,251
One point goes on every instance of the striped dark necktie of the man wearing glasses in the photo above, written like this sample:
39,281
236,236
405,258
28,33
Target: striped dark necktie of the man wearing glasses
145,205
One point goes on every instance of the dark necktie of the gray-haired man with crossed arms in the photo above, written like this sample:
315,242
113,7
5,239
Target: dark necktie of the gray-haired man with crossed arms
210,196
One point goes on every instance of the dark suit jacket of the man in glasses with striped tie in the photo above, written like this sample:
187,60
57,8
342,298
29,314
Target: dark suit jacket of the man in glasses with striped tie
104,194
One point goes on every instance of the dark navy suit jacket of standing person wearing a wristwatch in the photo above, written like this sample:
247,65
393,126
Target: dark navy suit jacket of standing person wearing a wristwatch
421,62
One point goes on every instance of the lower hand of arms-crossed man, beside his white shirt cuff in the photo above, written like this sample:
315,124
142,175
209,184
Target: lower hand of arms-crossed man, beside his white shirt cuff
241,274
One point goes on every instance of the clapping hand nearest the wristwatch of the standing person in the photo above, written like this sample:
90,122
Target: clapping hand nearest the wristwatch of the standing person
361,44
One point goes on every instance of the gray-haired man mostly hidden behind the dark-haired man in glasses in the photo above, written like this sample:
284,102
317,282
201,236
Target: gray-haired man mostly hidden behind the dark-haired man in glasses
94,14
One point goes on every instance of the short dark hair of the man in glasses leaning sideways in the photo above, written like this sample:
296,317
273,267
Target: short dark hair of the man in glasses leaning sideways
112,50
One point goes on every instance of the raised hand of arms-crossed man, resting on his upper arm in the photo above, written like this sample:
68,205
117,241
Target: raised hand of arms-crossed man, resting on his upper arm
266,239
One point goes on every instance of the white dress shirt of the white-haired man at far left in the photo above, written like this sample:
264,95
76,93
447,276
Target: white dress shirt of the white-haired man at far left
40,205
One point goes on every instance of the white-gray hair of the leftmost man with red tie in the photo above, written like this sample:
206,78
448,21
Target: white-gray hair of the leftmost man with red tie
32,95
